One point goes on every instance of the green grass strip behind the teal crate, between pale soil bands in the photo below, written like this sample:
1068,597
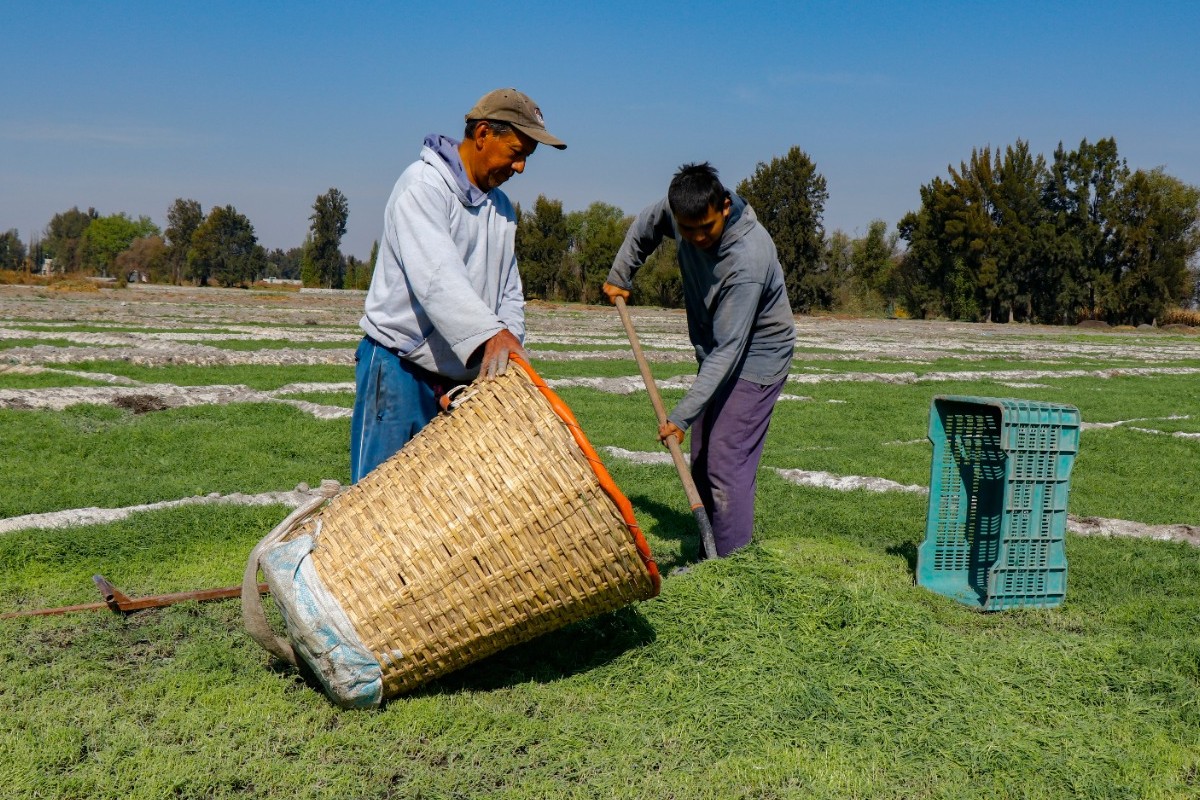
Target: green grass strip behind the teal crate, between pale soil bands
872,432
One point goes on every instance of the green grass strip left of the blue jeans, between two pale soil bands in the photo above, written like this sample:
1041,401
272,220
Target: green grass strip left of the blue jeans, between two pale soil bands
107,458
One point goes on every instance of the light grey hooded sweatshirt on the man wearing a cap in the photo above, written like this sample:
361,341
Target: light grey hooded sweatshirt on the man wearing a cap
446,279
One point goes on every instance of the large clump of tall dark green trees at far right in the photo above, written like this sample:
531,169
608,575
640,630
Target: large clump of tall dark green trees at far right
1010,237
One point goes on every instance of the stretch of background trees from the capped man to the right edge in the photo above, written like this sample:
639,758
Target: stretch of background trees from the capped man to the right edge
1006,237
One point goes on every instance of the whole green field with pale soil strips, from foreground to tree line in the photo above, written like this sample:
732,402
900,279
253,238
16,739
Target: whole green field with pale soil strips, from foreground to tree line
809,665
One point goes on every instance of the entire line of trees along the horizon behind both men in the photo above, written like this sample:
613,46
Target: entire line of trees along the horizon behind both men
1004,237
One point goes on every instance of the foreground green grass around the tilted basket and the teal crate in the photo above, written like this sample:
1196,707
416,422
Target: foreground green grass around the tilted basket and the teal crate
806,667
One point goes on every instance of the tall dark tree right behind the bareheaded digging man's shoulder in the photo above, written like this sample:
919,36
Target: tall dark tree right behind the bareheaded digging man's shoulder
789,196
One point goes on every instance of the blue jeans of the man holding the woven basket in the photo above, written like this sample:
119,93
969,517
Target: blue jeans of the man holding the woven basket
394,400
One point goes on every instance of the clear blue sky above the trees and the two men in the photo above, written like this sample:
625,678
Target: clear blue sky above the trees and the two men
265,106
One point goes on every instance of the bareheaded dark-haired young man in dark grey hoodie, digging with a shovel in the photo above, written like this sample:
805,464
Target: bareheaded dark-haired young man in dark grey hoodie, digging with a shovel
741,326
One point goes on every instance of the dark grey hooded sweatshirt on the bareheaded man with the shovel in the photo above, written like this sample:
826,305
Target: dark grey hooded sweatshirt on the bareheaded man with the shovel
739,317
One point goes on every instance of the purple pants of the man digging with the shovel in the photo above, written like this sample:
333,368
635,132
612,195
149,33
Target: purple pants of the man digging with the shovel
727,448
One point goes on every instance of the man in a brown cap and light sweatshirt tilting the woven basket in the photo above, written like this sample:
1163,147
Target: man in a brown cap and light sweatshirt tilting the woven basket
446,299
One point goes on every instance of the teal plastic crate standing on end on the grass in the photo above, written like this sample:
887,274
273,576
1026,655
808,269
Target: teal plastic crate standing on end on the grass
998,502
